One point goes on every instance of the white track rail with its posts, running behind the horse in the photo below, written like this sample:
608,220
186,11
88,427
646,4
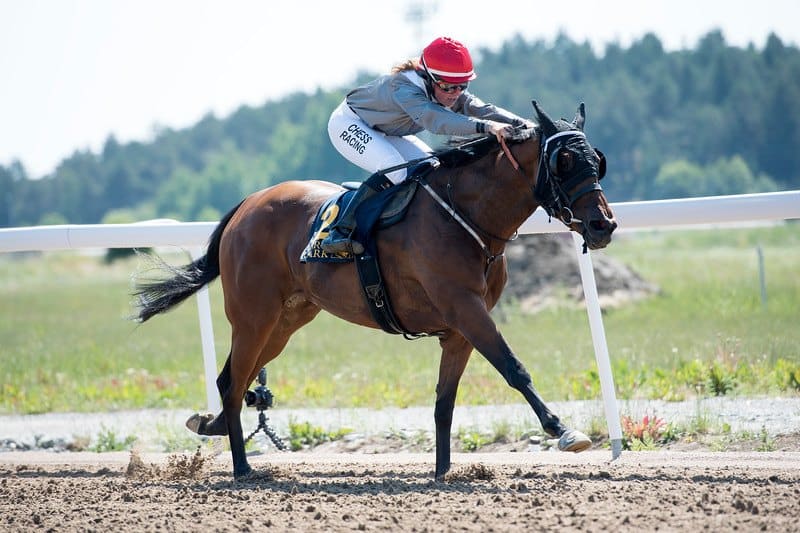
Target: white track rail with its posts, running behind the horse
630,215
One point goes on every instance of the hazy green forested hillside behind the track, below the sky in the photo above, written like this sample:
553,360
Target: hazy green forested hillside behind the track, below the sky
715,119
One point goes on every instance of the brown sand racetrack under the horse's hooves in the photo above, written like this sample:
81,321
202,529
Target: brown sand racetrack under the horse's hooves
543,491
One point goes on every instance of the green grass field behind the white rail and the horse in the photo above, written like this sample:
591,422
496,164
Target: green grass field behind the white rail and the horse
65,344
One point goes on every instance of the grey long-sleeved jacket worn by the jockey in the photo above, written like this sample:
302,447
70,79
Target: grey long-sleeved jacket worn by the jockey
399,104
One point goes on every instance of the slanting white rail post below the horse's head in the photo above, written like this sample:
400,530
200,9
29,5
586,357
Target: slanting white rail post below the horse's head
600,347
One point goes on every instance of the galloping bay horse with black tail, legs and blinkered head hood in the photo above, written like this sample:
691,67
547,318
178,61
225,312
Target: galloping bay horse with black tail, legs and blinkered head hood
443,267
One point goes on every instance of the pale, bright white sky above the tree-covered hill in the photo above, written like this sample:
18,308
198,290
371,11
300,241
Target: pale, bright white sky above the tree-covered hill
73,72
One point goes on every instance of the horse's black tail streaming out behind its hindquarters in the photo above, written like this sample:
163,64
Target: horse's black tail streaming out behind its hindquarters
157,296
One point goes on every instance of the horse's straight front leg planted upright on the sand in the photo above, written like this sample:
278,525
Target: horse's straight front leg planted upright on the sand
455,354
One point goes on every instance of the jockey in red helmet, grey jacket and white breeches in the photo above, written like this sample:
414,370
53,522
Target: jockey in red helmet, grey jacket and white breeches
375,126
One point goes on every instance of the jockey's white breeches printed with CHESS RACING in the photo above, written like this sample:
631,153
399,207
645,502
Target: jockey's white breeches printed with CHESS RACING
370,149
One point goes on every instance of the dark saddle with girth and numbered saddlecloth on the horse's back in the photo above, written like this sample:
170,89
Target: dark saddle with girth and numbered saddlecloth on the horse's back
381,211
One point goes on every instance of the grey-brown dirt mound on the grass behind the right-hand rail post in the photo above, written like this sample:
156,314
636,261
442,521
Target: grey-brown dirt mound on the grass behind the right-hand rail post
542,269
